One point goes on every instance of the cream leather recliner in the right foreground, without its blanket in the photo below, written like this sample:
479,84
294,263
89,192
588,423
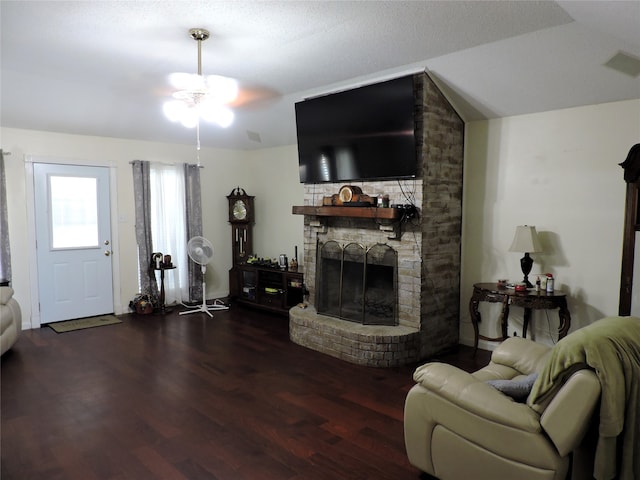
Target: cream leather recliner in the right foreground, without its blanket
457,426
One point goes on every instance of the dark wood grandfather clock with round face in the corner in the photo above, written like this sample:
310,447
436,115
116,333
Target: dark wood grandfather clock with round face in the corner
241,217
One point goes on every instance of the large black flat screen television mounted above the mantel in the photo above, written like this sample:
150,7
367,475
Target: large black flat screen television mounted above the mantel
367,133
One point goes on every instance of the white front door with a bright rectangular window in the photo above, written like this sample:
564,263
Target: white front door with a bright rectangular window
73,237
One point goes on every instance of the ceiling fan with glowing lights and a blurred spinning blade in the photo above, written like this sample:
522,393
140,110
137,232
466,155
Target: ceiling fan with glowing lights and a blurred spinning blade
207,97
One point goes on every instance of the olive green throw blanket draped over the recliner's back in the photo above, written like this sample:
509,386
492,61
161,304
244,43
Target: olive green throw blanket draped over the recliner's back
611,347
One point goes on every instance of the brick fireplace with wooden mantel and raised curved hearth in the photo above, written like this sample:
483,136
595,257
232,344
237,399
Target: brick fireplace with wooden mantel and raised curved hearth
426,252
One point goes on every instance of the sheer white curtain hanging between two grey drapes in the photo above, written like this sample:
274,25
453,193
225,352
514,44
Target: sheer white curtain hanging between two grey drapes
168,226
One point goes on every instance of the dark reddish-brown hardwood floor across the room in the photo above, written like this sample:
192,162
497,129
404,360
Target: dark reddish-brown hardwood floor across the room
190,397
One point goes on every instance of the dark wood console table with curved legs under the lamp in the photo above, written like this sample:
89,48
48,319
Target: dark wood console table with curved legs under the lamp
529,300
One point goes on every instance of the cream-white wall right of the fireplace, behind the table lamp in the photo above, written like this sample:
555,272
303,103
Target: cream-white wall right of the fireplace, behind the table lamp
558,171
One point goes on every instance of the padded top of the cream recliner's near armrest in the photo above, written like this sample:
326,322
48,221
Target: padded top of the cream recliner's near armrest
475,396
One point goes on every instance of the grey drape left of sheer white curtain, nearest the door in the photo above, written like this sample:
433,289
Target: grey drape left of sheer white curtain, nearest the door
142,199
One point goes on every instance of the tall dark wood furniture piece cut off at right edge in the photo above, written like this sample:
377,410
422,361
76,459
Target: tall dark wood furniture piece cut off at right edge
631,168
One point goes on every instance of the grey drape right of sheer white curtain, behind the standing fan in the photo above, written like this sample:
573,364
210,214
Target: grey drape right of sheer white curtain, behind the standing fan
193,214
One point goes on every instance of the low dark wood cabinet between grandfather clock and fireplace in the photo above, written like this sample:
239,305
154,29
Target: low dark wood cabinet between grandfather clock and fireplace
267,288
